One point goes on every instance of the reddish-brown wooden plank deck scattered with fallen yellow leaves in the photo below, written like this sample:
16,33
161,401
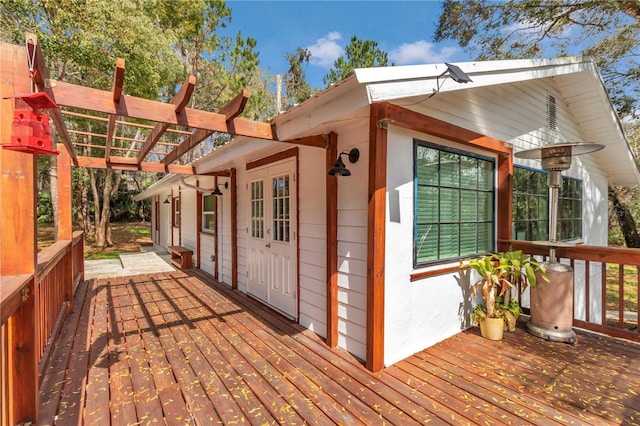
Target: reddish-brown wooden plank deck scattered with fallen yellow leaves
178,348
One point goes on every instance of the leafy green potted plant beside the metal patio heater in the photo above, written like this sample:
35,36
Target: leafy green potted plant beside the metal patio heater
499,274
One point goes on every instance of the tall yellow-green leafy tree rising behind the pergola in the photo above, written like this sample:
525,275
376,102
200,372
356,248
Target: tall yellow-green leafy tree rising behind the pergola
162,41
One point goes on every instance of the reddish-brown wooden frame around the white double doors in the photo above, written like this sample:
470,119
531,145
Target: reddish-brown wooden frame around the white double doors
269,161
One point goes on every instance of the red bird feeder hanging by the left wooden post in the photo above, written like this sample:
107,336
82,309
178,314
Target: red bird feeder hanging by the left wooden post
30,131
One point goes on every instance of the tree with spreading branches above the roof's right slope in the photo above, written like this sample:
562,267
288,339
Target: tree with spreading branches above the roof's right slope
606,30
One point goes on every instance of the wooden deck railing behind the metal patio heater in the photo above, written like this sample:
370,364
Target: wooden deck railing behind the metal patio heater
606,285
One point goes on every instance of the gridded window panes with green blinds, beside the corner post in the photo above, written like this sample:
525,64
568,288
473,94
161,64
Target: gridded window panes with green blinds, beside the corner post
454,204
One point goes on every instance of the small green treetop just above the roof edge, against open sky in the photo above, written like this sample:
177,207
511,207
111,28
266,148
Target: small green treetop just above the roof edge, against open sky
357,54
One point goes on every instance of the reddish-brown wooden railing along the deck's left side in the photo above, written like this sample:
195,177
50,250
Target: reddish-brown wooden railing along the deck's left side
59,270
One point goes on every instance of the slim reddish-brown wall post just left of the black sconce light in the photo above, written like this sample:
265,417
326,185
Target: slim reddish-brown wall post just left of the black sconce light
332,242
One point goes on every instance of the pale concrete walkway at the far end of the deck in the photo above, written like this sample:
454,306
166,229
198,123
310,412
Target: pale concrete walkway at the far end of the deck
148,261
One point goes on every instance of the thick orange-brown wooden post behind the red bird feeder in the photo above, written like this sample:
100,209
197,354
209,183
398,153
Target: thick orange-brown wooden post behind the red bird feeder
18,252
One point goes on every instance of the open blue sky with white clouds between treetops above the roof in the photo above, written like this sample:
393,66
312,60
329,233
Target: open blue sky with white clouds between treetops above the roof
403,29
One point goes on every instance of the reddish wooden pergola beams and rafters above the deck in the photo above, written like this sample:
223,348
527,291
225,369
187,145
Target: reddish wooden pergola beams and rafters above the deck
113,104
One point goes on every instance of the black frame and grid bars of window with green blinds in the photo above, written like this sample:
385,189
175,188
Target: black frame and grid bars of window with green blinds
493,203
